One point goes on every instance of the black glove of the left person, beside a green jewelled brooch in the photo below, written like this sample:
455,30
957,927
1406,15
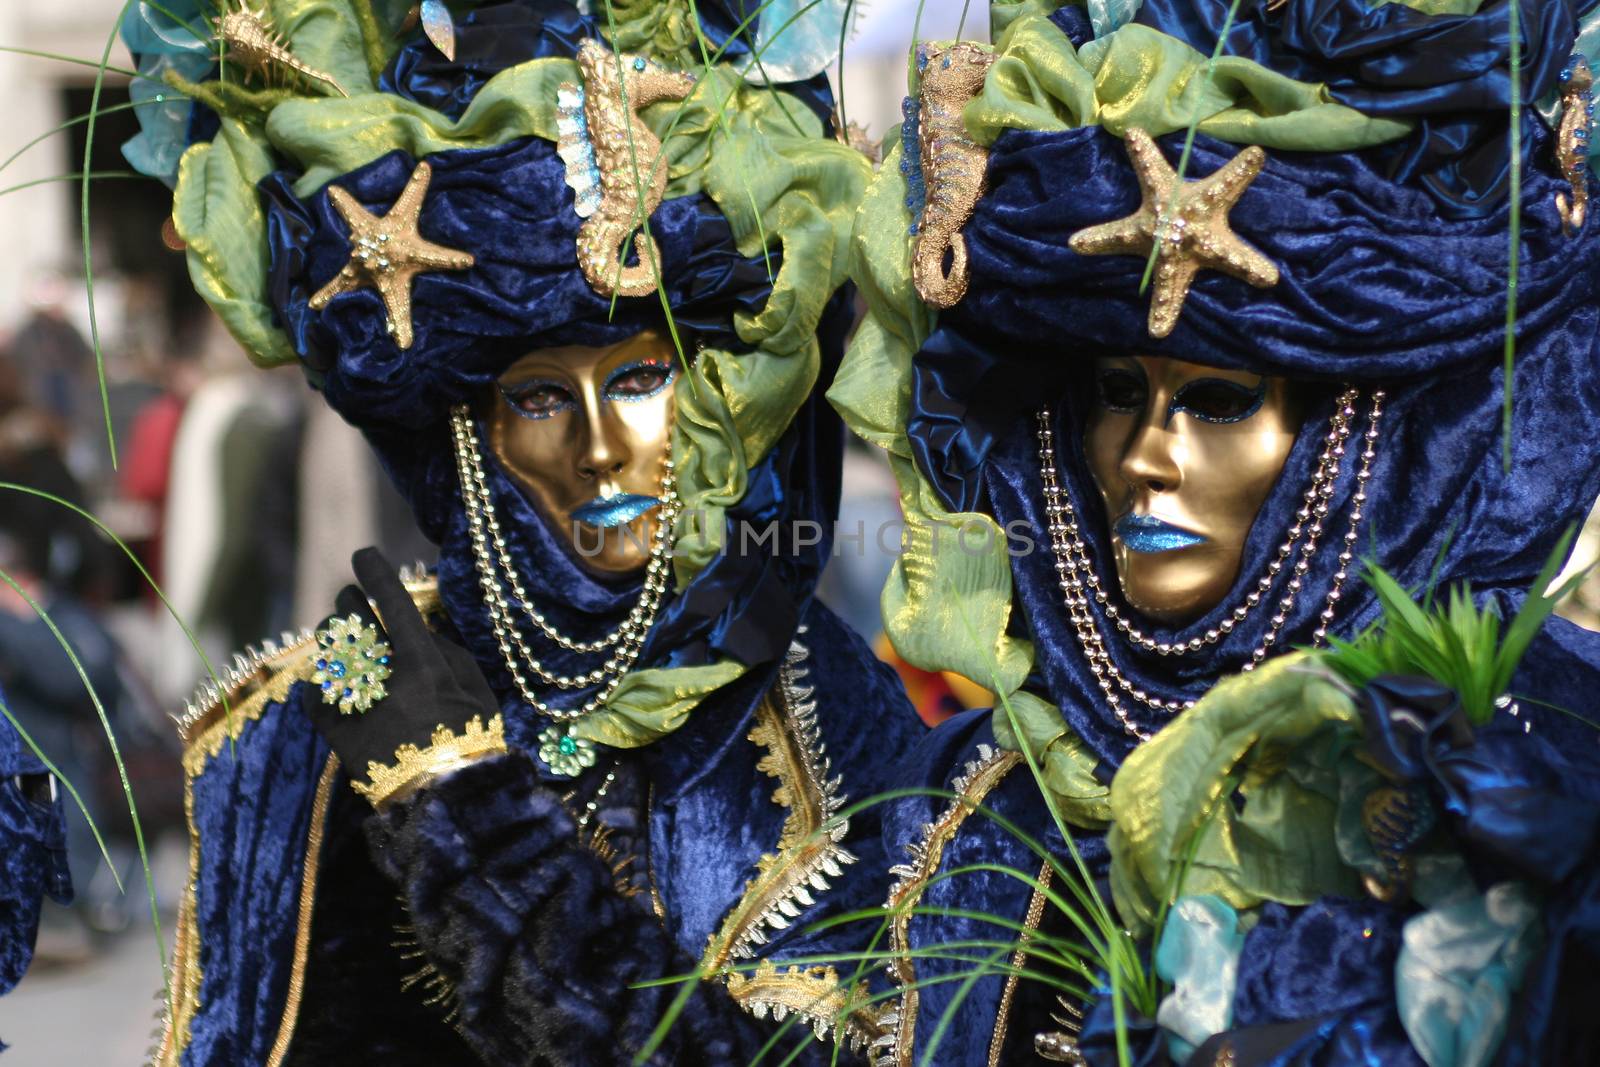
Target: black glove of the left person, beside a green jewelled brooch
433,681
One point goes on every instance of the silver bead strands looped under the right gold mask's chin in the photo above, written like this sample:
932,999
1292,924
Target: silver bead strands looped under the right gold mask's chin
1079,580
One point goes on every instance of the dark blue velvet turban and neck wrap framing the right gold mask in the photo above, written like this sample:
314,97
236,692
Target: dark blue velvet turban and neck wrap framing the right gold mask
1378,289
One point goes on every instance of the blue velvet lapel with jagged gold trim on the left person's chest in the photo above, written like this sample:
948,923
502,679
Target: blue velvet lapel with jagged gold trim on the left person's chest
746,857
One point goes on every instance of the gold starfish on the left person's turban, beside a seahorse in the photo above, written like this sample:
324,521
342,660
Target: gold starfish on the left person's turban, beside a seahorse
388,254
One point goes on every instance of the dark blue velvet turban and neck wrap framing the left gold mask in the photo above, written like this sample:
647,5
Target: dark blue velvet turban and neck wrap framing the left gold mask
511,207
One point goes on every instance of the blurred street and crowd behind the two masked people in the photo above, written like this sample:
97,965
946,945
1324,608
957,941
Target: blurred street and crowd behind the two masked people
207,494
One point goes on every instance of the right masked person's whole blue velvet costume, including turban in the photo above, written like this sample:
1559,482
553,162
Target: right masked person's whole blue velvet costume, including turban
1393,278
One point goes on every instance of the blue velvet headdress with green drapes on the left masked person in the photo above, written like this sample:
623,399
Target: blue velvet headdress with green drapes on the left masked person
746,298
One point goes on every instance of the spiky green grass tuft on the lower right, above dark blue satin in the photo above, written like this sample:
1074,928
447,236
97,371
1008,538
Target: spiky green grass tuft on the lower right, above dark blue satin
1454,641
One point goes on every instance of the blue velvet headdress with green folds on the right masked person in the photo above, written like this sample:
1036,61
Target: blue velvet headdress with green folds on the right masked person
1393,276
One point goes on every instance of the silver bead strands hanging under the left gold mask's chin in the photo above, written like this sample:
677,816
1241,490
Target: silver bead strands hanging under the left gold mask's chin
498,570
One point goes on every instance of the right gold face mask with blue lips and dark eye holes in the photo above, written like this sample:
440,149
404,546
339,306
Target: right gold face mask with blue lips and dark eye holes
1185,457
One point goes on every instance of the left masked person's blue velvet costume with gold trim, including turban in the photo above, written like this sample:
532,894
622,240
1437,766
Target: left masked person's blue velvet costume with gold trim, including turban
476,922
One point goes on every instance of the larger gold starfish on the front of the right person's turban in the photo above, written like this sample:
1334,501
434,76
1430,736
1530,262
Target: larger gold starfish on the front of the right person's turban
1190,231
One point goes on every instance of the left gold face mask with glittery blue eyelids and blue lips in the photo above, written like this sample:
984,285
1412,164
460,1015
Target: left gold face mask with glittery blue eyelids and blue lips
586,434
